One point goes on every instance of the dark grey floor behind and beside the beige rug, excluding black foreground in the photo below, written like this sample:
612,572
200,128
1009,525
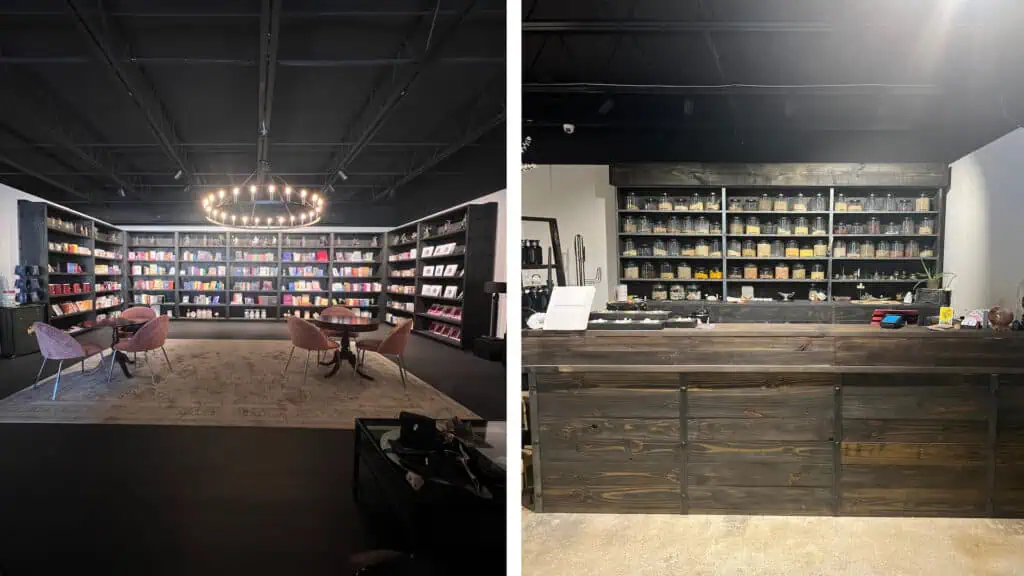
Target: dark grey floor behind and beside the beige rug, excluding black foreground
477,384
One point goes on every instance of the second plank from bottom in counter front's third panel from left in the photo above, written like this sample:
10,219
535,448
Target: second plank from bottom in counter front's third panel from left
861,477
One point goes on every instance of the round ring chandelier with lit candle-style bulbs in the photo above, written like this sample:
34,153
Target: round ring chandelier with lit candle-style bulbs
269,208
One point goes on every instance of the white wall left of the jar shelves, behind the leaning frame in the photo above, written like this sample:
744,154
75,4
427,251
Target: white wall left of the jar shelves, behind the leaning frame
584,203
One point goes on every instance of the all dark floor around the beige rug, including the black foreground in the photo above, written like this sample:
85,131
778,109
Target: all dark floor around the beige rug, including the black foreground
75,499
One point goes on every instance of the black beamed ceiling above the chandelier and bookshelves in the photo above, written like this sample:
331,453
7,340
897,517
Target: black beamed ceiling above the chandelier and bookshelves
407,97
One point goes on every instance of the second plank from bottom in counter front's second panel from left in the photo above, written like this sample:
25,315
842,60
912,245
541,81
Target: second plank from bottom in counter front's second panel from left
760,474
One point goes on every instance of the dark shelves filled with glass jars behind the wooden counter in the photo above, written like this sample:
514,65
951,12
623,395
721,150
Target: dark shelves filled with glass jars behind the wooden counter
777,240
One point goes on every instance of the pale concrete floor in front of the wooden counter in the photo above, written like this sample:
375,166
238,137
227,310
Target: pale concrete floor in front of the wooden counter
738,546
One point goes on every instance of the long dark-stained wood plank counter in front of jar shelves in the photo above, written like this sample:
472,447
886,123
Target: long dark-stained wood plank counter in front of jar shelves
780,420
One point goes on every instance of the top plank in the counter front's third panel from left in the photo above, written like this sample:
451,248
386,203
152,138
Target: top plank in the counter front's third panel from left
923,402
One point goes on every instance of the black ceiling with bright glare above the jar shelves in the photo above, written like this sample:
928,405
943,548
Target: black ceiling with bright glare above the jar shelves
772,80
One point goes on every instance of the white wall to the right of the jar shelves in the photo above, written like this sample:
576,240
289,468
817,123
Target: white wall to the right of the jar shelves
985,237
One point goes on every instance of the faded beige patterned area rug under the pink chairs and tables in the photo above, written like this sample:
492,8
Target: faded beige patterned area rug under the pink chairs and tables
230,383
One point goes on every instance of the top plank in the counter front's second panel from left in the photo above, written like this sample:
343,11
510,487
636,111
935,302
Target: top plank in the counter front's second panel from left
795,402
